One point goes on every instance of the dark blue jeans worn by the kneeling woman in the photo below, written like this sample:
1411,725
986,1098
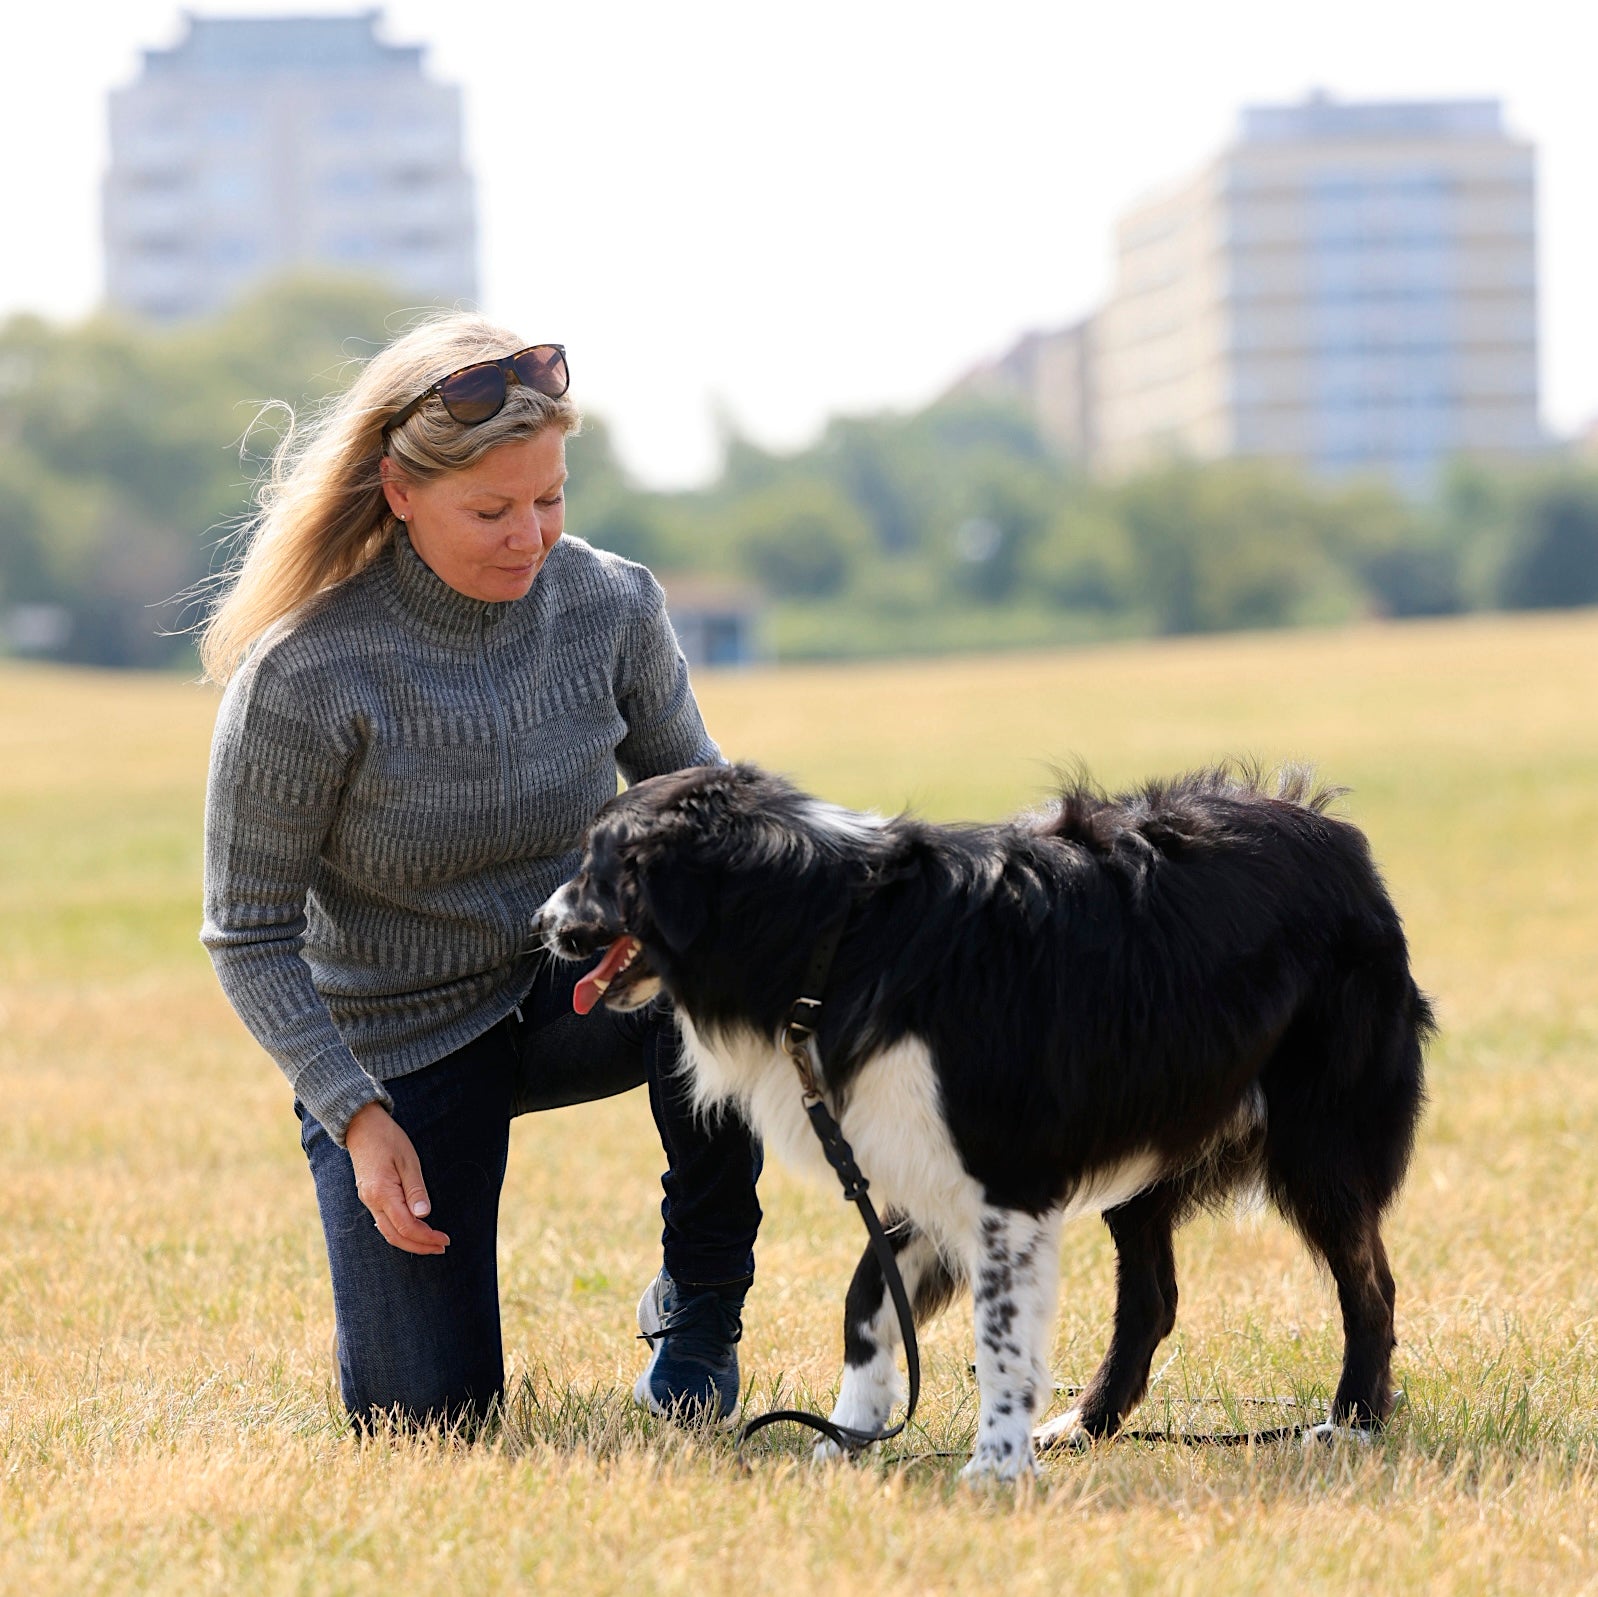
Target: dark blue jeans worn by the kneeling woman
421,1336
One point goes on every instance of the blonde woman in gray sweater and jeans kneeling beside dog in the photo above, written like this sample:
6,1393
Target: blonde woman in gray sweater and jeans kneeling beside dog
429,695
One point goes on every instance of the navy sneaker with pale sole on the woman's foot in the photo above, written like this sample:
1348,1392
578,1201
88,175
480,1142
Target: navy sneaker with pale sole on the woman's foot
693,1376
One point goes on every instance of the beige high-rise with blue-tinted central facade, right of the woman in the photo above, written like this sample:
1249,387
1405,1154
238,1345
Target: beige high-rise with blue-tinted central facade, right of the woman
1351,287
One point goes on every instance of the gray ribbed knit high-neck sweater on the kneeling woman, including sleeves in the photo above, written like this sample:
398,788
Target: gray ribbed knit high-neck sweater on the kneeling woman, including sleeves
399,781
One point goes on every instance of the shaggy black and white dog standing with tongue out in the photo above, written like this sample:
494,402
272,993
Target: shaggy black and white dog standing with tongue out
1132,1006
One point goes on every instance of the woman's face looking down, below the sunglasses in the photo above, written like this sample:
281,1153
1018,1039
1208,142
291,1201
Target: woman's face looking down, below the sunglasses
488,528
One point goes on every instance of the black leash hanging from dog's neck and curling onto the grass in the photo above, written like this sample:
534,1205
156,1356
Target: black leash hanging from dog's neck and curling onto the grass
800,1030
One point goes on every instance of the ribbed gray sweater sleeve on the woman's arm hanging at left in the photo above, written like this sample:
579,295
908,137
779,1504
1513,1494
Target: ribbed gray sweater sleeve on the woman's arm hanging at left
271,800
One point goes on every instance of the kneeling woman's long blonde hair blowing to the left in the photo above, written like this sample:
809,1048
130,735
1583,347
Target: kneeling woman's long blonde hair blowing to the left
322,516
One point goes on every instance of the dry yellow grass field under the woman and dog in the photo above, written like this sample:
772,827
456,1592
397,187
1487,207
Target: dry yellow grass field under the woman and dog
167,1416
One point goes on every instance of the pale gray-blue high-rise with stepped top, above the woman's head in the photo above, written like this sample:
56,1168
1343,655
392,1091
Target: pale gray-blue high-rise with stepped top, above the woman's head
263,145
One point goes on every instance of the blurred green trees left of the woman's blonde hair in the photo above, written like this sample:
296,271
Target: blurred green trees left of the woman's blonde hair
127,455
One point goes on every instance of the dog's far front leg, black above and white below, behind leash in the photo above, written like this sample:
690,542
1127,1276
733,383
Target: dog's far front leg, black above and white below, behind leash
872,1382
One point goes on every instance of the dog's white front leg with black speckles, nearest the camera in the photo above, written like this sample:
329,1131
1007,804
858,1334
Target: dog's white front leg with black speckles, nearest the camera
1016,1281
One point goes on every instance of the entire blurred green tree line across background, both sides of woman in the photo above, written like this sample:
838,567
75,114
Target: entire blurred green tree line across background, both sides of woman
127,456
